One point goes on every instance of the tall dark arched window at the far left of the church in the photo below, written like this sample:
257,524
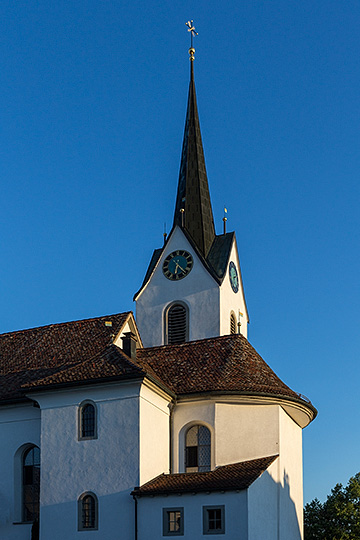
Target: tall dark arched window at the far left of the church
31,484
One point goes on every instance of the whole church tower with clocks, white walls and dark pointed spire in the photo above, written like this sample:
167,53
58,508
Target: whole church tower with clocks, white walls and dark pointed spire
193,287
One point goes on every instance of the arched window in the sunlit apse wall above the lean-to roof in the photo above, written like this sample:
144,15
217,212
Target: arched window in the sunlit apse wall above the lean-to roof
198,449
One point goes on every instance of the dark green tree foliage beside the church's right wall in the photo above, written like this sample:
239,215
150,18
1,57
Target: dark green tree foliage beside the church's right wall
338,518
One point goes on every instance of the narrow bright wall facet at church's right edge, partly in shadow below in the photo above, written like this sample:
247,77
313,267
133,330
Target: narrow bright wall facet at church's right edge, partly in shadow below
291,479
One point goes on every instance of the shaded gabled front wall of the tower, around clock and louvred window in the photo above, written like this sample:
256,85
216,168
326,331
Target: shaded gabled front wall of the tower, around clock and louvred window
198,290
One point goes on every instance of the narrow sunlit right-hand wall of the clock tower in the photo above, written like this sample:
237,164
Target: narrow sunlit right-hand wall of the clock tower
230,301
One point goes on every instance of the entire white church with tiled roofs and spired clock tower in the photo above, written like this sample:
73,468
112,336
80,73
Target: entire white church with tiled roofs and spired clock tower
170,425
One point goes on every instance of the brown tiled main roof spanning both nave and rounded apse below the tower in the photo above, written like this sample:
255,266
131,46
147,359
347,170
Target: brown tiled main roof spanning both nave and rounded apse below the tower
81,352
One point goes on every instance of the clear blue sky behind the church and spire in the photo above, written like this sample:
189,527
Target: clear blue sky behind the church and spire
93,99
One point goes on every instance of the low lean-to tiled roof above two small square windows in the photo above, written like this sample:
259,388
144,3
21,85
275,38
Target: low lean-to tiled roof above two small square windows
236,476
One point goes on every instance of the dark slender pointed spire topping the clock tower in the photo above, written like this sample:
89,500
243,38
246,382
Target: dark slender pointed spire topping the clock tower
193,190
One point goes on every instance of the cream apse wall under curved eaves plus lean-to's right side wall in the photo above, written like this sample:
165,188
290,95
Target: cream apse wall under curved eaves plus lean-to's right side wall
243,432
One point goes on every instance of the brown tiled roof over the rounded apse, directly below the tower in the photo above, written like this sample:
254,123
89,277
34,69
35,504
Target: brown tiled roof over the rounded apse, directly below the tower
221,364
